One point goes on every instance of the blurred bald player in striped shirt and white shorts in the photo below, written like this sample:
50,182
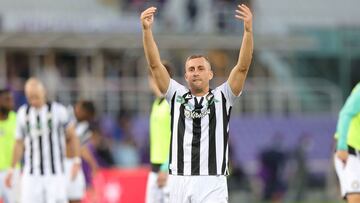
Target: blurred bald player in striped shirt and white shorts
41,129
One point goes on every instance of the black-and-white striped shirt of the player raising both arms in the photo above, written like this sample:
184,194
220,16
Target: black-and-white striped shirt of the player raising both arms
199,130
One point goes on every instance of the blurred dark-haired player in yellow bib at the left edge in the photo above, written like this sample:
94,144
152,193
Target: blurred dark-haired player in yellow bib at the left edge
7,141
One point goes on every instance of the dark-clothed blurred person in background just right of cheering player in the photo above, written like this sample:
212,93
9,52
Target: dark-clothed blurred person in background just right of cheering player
272,160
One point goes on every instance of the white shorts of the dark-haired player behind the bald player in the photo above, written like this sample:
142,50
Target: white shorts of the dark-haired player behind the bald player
75,188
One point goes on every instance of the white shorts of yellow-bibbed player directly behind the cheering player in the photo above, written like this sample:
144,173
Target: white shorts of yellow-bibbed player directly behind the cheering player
154,194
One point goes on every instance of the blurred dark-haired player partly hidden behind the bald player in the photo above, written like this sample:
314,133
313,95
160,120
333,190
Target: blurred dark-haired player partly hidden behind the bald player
83,115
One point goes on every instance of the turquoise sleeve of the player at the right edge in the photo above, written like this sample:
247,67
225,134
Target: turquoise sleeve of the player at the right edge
350,109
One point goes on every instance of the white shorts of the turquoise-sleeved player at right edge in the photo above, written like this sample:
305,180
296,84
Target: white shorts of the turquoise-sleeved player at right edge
349,176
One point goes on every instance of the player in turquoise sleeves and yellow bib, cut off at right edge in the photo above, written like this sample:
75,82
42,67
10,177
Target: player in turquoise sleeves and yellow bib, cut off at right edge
347,158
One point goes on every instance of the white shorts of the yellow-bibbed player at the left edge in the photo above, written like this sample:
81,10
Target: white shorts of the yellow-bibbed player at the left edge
9,194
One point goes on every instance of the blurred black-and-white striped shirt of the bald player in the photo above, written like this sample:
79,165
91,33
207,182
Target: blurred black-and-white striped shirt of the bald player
43,132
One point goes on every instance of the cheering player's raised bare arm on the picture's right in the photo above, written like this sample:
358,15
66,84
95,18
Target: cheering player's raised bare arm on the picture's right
238,74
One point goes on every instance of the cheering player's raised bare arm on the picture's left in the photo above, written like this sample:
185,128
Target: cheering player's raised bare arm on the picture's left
152,54
